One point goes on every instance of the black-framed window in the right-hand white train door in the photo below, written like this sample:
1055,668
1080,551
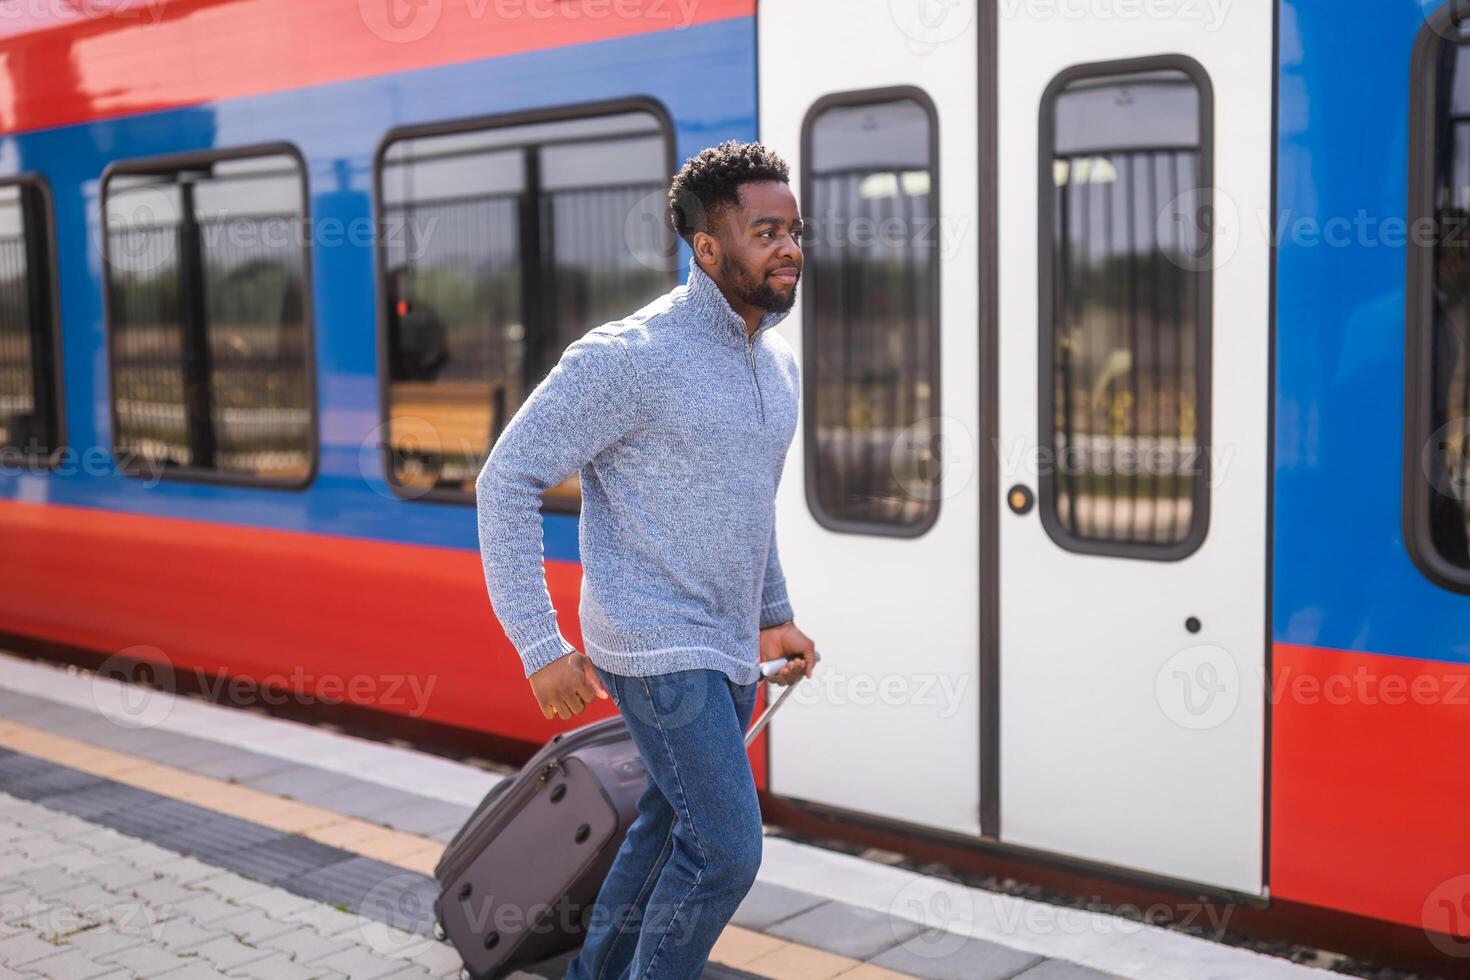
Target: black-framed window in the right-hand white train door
1125,309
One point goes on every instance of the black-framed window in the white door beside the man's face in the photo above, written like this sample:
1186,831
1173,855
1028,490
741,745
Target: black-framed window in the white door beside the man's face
871,312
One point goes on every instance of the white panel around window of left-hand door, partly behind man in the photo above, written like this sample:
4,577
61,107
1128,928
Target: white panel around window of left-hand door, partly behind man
892,728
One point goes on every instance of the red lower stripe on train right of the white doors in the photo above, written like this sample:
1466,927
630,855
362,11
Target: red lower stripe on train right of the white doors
1371,806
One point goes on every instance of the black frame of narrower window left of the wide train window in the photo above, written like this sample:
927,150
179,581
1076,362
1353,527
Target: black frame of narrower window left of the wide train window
162,167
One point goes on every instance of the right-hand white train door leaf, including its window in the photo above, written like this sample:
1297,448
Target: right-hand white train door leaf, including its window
1134,356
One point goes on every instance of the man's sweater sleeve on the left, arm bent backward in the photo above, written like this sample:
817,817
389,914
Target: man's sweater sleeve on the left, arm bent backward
586,405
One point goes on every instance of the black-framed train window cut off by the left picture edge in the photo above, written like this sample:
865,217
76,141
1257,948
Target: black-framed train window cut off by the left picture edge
30,371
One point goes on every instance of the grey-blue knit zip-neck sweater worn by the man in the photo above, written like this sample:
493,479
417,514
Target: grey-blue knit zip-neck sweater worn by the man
680,424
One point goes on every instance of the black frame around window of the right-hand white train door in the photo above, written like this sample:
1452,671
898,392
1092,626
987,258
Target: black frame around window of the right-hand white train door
1046,325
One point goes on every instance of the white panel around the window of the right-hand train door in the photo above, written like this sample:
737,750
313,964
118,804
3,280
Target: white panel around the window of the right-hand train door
1125,738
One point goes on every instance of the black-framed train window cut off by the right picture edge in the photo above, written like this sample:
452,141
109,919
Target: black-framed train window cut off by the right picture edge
1437,487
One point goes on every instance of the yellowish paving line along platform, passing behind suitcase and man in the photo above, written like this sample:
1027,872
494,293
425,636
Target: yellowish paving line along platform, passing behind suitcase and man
739,948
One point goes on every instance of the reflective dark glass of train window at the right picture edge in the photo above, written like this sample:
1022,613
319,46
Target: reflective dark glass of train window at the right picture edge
1441,331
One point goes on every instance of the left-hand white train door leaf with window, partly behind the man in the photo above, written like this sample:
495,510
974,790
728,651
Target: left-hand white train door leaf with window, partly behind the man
874,105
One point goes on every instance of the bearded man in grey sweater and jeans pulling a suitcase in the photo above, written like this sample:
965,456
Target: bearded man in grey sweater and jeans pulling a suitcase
678,418
